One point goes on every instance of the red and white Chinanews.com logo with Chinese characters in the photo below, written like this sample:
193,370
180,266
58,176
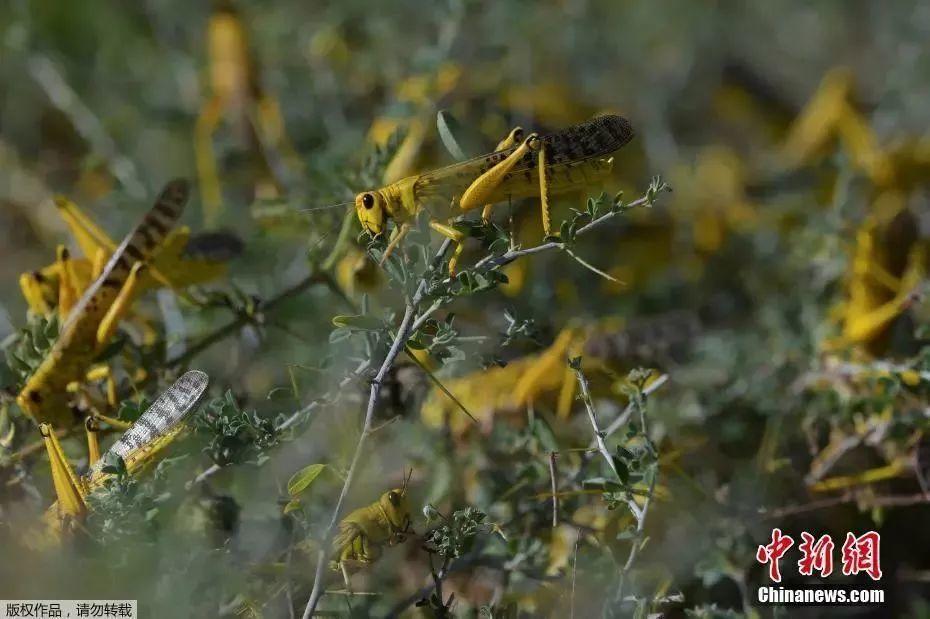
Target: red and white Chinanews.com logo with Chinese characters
859,555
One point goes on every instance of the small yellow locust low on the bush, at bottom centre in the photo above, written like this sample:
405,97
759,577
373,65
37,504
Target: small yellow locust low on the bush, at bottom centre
364,532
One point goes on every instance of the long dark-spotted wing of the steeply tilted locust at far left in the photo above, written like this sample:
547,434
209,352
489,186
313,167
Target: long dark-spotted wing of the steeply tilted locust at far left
44,396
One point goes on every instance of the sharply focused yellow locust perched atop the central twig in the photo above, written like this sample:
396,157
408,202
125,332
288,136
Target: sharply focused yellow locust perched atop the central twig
521,166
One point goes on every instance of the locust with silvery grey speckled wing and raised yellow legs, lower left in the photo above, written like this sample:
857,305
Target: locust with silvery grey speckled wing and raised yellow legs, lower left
149,435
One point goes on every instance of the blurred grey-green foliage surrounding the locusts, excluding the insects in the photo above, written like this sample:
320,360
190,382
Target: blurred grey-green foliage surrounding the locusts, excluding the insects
735,427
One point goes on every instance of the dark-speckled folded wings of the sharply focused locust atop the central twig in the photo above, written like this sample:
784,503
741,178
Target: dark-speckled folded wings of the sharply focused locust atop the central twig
575,156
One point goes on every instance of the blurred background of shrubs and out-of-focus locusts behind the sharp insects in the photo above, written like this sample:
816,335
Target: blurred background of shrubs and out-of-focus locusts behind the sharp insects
779,287
